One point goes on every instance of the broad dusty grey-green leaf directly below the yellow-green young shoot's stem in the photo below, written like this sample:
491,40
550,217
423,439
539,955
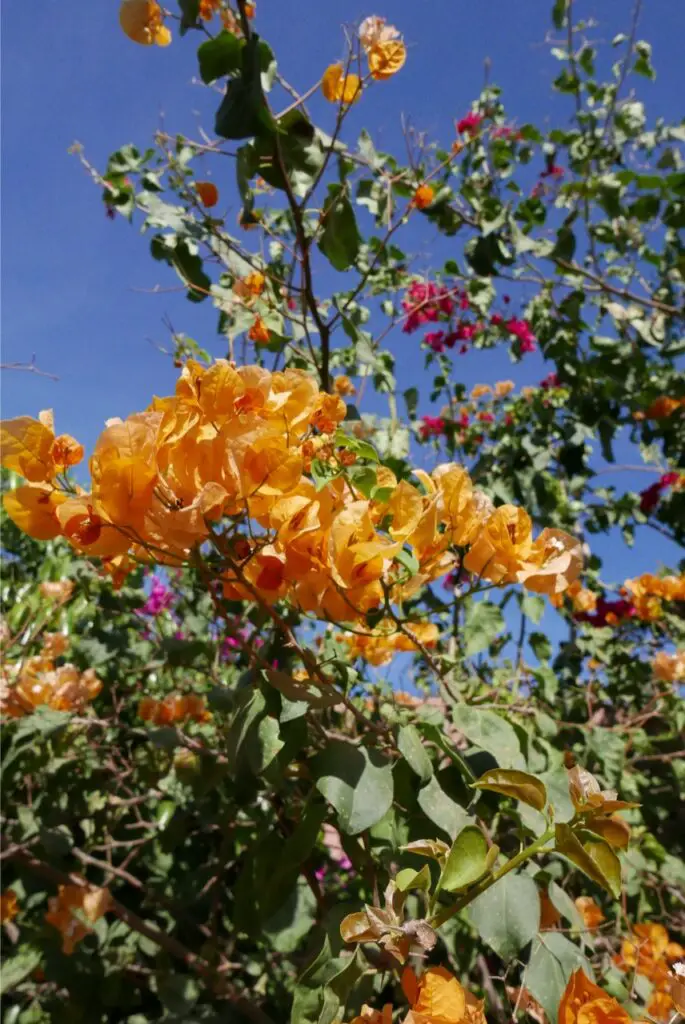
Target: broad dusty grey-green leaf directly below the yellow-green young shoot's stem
507,915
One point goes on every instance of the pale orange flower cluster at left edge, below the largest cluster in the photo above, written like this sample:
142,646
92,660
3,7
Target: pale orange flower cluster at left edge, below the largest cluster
35,681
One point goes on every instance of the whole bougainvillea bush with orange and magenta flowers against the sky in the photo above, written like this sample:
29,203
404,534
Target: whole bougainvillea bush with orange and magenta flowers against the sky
319,705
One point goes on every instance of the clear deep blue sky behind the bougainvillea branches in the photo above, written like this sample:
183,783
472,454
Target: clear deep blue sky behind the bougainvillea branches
70,276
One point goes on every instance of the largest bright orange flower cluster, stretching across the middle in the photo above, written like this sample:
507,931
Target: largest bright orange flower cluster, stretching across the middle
232,449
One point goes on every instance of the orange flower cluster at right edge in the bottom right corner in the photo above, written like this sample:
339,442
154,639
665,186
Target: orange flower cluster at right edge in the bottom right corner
651,953
